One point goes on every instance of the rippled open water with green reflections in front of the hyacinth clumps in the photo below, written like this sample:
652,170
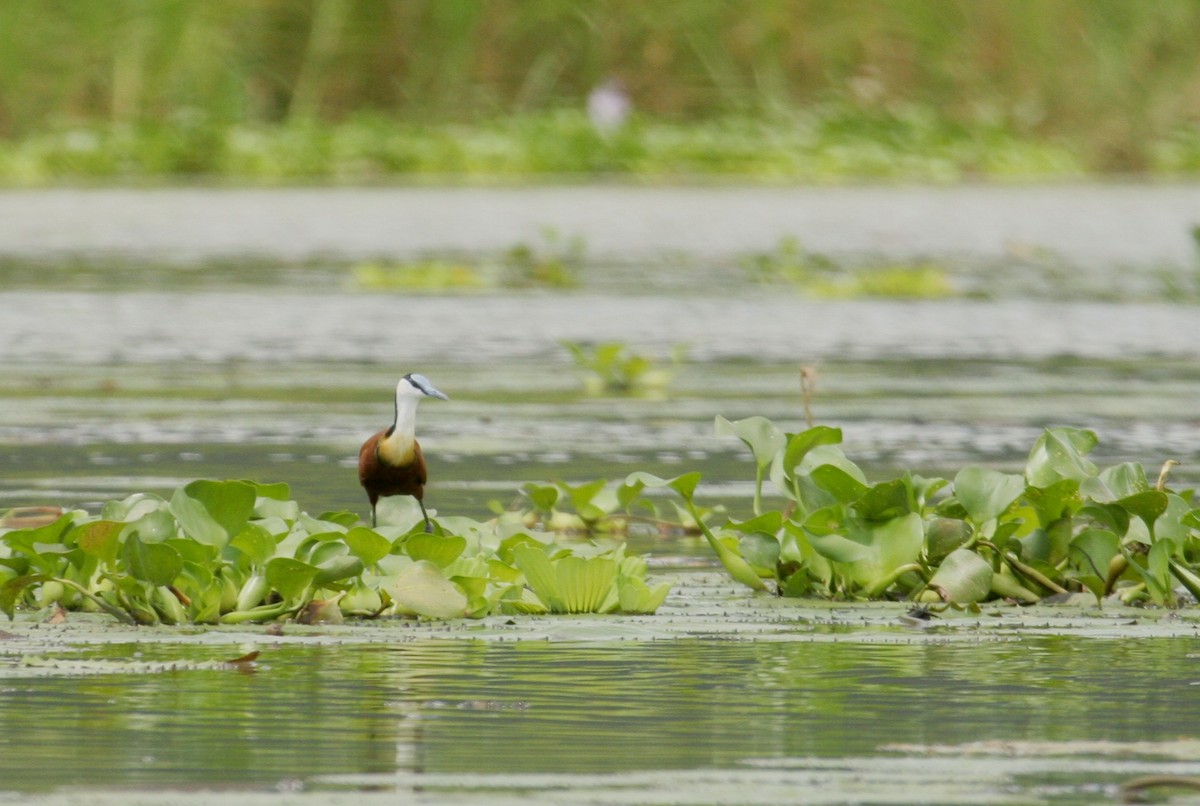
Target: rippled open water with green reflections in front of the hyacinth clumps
542,707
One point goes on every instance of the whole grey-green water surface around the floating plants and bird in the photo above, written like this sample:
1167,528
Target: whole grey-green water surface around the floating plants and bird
128,368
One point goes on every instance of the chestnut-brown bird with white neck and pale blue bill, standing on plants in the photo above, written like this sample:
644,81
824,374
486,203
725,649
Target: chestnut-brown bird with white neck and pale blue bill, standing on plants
391,462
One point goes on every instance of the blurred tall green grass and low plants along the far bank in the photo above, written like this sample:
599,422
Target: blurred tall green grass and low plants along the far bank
812,91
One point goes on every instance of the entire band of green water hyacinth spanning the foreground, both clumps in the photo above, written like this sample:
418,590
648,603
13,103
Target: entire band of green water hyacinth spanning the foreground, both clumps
235,552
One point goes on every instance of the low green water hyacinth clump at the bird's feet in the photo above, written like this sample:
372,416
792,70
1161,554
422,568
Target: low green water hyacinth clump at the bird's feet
235,552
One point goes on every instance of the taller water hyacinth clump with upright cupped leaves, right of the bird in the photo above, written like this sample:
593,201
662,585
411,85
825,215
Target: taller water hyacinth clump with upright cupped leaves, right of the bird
1063,527
